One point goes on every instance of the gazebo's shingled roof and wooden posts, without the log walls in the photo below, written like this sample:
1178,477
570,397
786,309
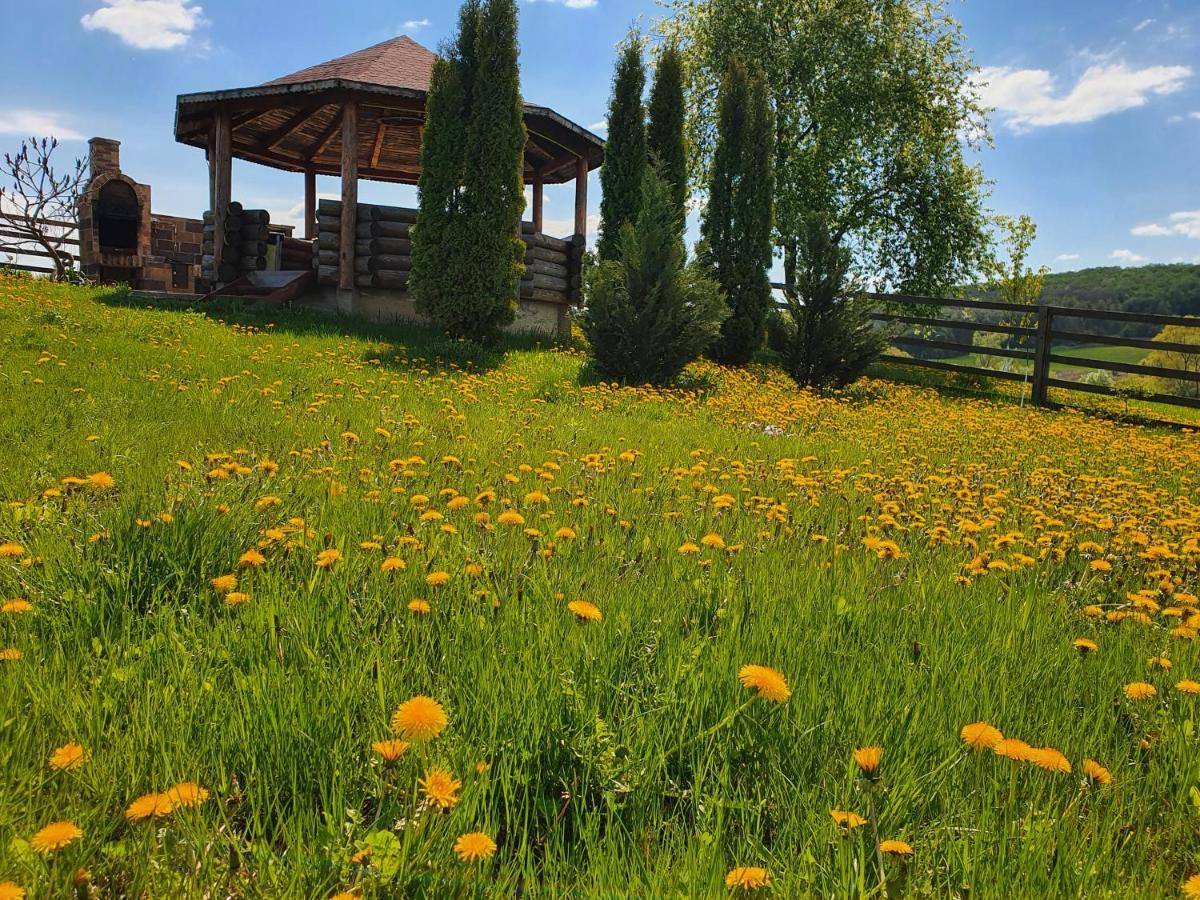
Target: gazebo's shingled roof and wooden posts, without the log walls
359,117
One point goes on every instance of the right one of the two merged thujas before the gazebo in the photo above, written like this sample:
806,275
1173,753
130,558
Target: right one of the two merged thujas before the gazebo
495,181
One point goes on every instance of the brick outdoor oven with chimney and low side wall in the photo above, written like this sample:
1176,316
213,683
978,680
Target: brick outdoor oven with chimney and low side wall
123,241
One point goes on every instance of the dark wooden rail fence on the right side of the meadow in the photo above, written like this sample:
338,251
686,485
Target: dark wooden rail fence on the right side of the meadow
1039,339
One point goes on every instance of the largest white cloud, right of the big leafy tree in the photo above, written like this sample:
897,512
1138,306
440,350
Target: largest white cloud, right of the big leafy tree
1028,98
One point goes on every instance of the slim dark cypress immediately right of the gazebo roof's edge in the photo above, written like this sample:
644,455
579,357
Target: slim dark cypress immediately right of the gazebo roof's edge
625,164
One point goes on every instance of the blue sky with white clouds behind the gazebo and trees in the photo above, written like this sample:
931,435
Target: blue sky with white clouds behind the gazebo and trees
1097,124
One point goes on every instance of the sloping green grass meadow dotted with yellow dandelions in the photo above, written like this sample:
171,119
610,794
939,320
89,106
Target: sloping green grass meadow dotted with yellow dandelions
298,608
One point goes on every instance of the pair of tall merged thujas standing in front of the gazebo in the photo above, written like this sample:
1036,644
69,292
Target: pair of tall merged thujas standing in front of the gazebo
467,251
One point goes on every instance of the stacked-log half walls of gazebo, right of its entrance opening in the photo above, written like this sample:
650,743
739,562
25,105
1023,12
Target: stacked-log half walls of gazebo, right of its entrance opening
383,254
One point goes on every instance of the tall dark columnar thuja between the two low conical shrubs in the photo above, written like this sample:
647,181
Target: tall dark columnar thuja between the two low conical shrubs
736,241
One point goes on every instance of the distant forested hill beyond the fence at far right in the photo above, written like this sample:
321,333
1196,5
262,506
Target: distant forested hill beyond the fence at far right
1162,290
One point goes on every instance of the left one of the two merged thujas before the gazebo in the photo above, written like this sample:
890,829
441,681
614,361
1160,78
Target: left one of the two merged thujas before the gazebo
440,249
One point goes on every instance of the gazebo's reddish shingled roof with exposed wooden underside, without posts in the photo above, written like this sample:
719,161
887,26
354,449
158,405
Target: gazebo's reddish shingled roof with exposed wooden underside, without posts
295,123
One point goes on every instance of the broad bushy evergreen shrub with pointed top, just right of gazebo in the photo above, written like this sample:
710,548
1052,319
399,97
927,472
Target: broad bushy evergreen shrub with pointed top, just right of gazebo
647,314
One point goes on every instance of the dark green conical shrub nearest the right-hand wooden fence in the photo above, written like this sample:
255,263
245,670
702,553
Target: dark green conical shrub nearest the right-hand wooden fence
827,338
